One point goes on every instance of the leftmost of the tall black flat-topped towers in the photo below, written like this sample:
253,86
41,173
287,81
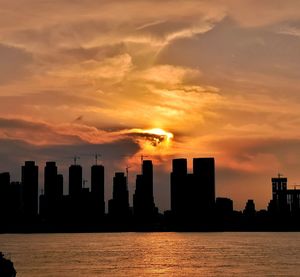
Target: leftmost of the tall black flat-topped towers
30,189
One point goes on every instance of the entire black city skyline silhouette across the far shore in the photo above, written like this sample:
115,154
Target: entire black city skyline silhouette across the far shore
193,202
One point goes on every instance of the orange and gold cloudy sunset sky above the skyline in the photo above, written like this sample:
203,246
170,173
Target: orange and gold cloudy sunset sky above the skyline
222,78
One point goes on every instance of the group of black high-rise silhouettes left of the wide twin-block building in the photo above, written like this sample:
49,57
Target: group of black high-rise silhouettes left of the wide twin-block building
19,201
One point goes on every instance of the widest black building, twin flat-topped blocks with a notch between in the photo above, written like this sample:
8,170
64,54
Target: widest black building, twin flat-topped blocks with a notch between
193,195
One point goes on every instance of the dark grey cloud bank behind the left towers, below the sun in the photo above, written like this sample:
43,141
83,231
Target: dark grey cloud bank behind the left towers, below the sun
13,153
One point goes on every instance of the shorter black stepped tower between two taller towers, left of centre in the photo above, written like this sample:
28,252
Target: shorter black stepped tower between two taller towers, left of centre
118,206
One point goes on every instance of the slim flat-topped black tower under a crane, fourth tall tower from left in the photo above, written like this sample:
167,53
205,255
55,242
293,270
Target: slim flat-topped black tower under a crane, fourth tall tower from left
97,190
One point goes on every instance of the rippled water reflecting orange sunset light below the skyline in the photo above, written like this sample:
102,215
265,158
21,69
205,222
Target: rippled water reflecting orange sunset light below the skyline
154,254
